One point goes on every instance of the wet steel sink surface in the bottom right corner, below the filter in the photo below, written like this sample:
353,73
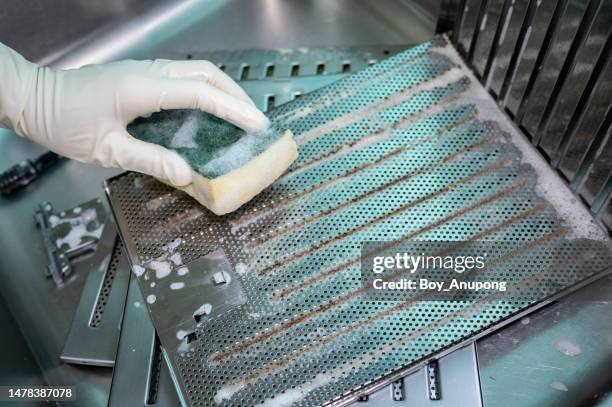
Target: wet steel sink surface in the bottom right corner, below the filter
559,356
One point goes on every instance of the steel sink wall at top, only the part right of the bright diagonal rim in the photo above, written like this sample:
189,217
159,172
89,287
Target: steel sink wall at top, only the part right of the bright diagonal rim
277,24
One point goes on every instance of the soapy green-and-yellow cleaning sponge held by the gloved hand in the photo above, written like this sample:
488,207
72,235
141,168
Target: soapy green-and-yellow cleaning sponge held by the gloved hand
229,166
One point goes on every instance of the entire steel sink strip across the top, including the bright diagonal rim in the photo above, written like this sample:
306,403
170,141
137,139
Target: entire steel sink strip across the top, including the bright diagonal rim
155,29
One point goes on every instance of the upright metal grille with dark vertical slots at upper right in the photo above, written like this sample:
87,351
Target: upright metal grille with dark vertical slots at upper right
549,65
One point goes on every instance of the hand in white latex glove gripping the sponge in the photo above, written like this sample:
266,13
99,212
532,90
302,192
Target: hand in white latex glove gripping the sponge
82,113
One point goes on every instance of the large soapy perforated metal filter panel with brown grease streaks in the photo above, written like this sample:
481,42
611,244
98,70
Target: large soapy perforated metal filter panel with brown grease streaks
409,149
